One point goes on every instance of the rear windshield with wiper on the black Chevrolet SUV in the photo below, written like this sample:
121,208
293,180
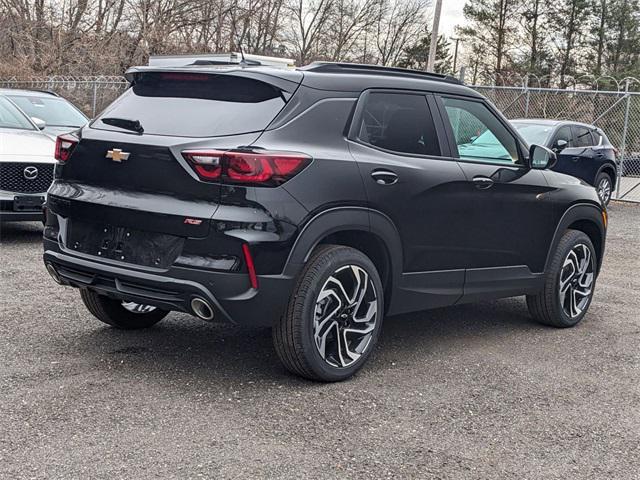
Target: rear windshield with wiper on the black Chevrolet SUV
195,105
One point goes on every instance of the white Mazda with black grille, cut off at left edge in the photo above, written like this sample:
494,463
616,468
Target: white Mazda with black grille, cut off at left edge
26,165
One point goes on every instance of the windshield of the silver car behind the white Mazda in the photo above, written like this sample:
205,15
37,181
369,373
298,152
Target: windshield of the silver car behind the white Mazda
57,112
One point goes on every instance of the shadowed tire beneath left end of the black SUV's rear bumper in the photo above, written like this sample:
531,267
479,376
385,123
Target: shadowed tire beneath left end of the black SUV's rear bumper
111,312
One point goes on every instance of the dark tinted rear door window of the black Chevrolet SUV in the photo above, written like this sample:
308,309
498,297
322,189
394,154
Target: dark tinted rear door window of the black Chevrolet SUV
400,123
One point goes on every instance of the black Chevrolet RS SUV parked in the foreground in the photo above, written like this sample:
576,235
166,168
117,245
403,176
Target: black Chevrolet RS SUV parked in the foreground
316,201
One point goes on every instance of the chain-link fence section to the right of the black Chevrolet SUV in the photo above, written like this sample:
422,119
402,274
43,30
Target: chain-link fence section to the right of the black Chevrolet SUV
617,113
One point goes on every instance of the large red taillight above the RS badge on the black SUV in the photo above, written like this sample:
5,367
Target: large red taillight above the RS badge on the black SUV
263,168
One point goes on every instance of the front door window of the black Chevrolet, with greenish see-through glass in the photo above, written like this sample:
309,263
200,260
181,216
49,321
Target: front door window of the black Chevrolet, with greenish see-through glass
479,134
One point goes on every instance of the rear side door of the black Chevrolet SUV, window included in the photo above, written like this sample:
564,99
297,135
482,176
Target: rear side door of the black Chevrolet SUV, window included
409,176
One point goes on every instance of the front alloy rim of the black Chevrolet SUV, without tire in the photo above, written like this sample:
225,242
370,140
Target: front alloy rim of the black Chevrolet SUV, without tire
576,280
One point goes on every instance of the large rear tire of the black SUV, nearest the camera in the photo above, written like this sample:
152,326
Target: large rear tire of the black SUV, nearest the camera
293,334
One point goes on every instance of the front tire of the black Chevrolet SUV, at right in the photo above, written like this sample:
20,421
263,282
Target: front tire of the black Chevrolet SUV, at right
547,307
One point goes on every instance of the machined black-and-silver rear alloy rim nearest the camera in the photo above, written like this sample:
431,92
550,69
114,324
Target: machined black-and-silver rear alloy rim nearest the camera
345,317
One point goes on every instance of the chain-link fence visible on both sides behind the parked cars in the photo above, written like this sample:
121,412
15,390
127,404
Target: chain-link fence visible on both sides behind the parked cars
616,112
